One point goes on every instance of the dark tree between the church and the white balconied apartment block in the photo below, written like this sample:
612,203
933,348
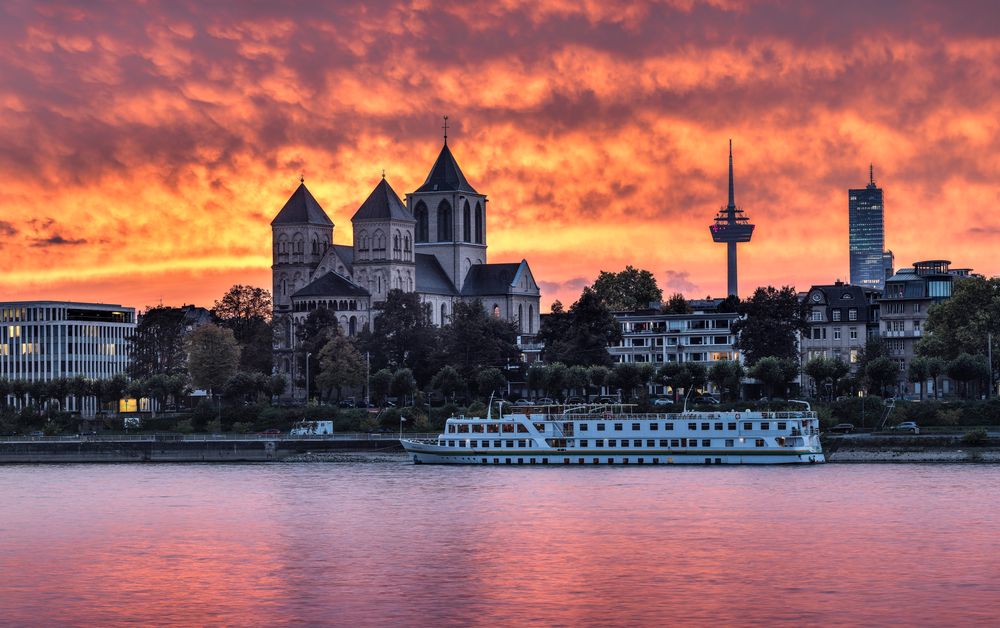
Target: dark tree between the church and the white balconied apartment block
582,335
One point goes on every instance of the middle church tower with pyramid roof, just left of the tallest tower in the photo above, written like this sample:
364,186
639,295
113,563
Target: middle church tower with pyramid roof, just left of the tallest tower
383,243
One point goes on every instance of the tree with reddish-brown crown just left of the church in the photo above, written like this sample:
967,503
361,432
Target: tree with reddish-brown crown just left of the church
247,311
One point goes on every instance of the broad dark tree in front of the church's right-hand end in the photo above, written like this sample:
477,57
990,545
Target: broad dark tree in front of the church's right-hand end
473,339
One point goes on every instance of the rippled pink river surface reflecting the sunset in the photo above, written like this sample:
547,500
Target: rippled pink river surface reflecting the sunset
391,543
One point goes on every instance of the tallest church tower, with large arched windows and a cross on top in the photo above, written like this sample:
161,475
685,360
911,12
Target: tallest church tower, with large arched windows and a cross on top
450,217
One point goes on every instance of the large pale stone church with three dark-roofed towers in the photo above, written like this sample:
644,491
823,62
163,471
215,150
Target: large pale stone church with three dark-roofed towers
433,244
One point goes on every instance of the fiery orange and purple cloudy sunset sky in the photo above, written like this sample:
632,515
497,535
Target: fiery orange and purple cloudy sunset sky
145,146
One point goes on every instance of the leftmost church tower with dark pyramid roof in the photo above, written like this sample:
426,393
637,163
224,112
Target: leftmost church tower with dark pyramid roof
301,233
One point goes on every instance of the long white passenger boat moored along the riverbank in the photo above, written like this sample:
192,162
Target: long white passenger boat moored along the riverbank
614,434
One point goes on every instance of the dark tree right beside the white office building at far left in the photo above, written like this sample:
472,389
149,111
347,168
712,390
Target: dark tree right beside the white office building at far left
157,344
